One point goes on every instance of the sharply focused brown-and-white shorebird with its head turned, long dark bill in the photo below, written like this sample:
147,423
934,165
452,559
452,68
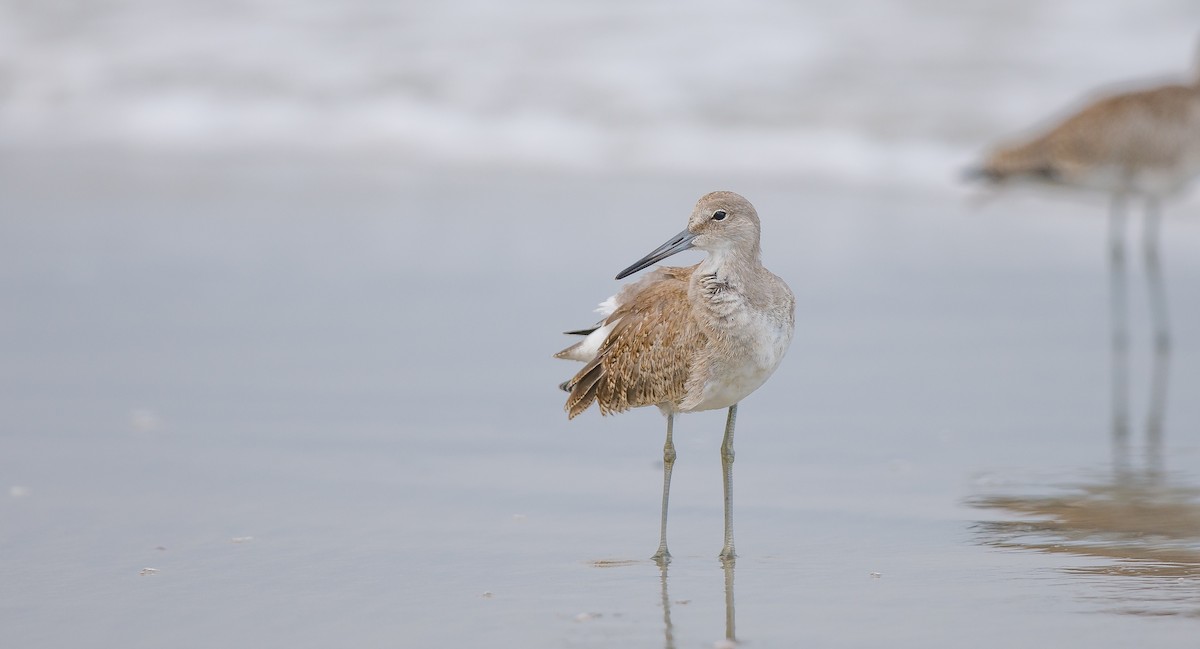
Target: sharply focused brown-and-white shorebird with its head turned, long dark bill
689,339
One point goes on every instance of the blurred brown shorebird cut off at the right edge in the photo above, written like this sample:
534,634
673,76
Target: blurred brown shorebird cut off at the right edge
1143,146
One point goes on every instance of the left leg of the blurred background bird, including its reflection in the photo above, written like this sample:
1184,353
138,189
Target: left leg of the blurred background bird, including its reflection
1119,316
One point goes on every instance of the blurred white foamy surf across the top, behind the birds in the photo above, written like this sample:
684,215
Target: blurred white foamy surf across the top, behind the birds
862,93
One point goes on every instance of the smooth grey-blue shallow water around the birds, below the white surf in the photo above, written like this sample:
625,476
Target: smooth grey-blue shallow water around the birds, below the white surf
317,399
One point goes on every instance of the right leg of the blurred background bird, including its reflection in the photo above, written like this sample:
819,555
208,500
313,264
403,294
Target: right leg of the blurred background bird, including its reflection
1156,289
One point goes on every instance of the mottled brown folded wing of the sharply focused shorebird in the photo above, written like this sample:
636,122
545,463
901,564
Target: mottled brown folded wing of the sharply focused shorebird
647,358
